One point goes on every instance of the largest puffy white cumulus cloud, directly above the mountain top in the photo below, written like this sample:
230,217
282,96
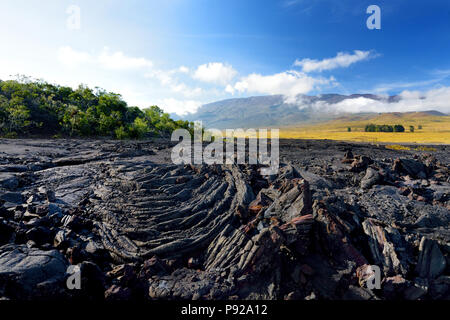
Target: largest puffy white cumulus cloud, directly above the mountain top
289,83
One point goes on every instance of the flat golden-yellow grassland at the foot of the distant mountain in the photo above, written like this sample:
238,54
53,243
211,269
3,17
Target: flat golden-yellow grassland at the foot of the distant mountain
435,129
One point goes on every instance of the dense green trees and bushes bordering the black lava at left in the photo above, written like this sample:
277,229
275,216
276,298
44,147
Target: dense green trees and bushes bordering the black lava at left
37,108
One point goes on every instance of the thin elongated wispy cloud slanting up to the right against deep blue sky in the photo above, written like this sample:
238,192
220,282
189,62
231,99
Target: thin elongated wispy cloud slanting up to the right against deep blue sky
341,60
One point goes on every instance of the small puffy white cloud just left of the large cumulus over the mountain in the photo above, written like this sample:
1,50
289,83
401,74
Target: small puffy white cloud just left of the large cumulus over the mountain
215,72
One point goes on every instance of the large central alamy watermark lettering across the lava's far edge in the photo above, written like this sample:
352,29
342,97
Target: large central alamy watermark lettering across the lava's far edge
221,148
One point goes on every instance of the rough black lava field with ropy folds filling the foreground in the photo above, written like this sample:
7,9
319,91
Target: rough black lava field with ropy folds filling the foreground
140,228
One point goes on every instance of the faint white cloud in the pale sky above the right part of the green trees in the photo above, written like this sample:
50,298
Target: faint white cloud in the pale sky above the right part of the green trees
119,61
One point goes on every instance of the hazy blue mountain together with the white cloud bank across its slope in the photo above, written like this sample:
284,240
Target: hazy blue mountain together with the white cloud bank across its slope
278,111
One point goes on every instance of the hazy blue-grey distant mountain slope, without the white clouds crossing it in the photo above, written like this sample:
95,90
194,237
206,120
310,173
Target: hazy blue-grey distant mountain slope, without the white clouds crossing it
273,111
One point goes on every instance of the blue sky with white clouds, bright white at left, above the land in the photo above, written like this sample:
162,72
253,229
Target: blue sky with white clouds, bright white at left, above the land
180,54
